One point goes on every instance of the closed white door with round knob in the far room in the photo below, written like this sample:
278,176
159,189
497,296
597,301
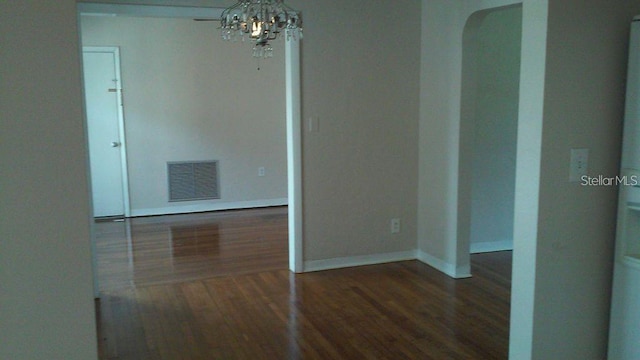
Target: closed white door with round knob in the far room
106,137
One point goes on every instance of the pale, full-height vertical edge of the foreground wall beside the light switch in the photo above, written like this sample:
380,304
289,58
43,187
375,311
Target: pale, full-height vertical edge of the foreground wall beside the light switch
526,204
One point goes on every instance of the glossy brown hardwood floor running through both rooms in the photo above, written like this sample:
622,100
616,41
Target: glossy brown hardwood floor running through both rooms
210,307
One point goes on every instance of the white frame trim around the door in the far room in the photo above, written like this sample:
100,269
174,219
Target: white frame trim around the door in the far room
115,51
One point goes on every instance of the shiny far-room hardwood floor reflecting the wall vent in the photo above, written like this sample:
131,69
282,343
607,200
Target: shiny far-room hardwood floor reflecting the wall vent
163,249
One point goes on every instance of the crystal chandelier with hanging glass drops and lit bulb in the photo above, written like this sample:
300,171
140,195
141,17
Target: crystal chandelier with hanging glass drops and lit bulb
261,21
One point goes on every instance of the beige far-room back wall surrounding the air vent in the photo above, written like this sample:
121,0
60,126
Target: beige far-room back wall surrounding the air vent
190,96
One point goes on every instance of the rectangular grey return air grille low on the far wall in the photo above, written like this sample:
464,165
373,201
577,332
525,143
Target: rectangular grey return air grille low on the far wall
193,180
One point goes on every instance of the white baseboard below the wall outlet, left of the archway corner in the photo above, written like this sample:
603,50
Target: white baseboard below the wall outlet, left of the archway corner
351,261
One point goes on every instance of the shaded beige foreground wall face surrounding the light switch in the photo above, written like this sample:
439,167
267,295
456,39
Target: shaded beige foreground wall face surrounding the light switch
583,108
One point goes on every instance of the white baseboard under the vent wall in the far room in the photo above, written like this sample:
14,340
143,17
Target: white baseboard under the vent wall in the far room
202,207
